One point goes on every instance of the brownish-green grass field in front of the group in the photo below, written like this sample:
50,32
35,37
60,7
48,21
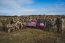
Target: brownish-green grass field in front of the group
31,36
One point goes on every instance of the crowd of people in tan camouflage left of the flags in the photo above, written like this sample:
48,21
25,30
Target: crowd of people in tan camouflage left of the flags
10,25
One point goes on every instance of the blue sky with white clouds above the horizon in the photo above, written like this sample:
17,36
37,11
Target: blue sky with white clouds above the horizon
32,7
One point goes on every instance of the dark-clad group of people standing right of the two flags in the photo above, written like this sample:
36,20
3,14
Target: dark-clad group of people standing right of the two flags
51,23
